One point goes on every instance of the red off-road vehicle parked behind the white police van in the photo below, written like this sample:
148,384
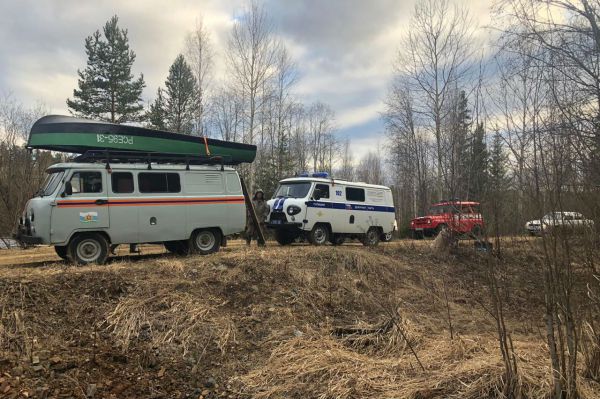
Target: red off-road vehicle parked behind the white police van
462,217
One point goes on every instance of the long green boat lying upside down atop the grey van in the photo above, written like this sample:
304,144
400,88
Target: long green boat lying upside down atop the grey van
76,135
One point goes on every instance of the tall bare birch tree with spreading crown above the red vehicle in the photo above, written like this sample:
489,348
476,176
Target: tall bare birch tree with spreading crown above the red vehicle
436,58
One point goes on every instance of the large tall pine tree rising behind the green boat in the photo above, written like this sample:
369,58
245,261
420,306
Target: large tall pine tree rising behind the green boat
107,89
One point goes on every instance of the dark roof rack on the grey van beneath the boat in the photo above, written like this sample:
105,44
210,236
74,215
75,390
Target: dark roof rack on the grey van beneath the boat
109,156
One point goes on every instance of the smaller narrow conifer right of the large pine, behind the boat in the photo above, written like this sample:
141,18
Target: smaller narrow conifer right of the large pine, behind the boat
180,101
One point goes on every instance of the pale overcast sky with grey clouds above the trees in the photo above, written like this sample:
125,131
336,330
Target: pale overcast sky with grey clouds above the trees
344,49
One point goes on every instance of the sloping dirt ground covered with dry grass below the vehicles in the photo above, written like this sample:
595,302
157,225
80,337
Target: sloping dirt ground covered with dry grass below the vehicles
393,321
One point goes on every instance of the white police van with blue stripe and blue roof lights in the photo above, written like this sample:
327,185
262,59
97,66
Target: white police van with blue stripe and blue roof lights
323,209
